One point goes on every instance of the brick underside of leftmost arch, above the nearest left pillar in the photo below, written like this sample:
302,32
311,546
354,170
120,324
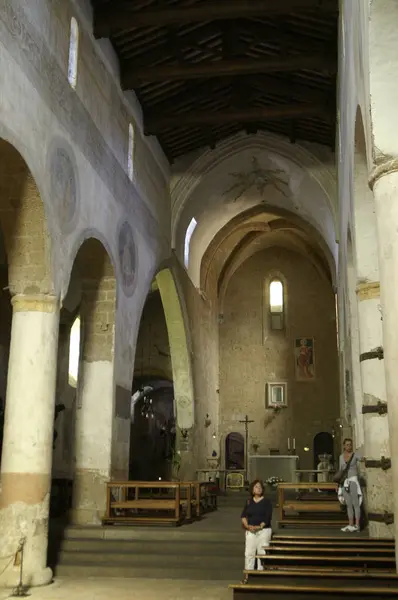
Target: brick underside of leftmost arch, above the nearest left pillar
24,226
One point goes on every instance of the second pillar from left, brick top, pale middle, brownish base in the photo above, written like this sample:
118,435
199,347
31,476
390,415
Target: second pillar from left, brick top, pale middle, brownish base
95,403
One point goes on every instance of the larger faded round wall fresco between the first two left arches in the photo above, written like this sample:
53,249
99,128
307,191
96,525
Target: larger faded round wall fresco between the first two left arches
63,185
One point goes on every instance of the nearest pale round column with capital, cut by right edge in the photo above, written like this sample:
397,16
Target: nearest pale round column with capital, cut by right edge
384,182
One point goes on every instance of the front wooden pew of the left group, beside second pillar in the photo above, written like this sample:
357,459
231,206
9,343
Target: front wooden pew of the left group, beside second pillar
165,508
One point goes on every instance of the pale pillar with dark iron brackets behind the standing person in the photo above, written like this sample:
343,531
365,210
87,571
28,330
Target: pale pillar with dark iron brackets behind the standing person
376,431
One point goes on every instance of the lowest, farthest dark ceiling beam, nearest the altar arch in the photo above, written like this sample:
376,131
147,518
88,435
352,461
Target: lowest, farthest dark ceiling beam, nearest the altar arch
153,124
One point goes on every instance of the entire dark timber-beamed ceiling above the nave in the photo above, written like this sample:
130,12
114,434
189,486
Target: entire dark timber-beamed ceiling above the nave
206,69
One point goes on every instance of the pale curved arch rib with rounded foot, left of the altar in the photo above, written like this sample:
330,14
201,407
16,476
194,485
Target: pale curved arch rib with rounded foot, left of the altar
179,349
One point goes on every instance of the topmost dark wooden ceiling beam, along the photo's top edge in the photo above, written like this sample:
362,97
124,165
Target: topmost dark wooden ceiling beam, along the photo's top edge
118,16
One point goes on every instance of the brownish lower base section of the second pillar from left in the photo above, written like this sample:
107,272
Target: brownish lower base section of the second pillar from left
89,497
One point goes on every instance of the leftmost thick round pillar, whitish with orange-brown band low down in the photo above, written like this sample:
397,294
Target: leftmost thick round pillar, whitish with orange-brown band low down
28,436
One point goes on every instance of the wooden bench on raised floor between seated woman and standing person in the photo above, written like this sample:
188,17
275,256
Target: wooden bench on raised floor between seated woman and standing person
321,511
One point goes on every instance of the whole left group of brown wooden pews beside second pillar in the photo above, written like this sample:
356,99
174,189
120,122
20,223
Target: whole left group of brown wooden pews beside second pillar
149,502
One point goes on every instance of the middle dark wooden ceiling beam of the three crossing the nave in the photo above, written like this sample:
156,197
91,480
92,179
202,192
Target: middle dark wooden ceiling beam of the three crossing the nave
131,76
